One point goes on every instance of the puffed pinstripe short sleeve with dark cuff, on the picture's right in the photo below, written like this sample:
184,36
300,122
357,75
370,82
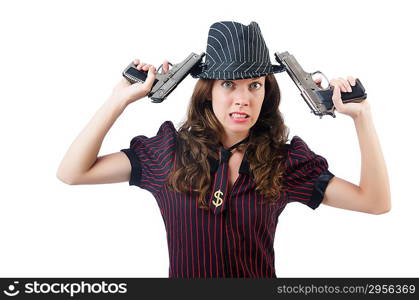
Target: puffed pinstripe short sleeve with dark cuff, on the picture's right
306,174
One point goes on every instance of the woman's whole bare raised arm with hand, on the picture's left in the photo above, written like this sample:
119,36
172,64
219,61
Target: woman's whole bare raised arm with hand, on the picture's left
80,164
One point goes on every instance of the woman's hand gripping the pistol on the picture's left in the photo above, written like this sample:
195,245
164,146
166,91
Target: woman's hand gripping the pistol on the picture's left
128,93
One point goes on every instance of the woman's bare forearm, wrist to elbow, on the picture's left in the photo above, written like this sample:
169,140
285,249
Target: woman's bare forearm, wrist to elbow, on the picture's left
83,152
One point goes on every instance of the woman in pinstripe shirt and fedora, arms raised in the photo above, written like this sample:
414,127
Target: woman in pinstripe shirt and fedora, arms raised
222,179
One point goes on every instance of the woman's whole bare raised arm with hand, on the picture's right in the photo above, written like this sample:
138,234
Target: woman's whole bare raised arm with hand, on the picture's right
373,193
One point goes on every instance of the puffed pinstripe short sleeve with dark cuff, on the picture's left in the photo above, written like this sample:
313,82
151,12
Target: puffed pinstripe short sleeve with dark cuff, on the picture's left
152,158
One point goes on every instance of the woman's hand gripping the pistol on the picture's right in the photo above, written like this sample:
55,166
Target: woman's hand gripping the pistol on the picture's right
344,85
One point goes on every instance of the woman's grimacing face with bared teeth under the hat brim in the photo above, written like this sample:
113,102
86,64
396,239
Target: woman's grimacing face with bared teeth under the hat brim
243,96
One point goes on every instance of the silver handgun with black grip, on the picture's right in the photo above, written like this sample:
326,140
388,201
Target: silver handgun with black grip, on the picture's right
317,98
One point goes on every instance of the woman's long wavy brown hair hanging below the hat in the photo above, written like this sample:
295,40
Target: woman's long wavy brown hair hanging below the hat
200,134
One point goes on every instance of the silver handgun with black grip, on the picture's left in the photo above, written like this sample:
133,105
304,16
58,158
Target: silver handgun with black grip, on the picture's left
165,82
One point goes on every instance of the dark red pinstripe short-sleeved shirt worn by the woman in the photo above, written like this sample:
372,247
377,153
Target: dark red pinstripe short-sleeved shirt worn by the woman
238,242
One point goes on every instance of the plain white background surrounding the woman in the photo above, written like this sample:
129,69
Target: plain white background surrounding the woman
59,62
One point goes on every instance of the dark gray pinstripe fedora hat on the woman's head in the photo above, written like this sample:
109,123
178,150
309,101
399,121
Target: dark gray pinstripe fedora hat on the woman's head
235,51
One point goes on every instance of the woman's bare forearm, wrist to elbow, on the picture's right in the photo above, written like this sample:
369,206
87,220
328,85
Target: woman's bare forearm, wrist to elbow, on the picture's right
374,182
